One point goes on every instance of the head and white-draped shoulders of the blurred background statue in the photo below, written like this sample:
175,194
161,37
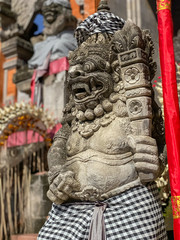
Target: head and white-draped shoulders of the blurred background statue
58,33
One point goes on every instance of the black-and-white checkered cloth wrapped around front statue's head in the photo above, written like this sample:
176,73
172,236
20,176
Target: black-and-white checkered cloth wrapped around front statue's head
99,22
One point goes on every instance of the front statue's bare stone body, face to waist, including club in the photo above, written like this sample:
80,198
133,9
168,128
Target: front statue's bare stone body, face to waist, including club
105,145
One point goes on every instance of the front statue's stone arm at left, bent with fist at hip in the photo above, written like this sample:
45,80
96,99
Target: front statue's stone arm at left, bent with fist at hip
61,181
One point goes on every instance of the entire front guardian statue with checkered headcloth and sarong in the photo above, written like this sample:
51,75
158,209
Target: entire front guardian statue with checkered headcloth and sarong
105,158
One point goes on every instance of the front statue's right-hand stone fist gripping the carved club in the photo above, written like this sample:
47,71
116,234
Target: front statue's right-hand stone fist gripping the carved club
145,157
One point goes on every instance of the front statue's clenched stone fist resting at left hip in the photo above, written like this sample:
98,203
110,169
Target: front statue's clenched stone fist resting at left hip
62,186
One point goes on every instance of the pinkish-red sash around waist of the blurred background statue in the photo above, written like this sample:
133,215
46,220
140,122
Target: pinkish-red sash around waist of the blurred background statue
56,66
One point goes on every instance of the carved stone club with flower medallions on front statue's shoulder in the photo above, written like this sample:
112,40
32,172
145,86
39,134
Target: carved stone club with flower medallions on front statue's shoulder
133,49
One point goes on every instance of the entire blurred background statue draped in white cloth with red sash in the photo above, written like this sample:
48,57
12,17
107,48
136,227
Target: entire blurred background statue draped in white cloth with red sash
58,40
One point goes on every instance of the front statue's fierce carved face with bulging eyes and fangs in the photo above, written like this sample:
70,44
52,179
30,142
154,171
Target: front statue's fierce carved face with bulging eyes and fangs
89,74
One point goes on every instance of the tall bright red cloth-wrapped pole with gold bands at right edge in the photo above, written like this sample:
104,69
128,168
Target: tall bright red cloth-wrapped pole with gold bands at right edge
171,109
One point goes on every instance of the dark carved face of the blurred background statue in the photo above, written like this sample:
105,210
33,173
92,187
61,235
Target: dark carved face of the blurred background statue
51,12
